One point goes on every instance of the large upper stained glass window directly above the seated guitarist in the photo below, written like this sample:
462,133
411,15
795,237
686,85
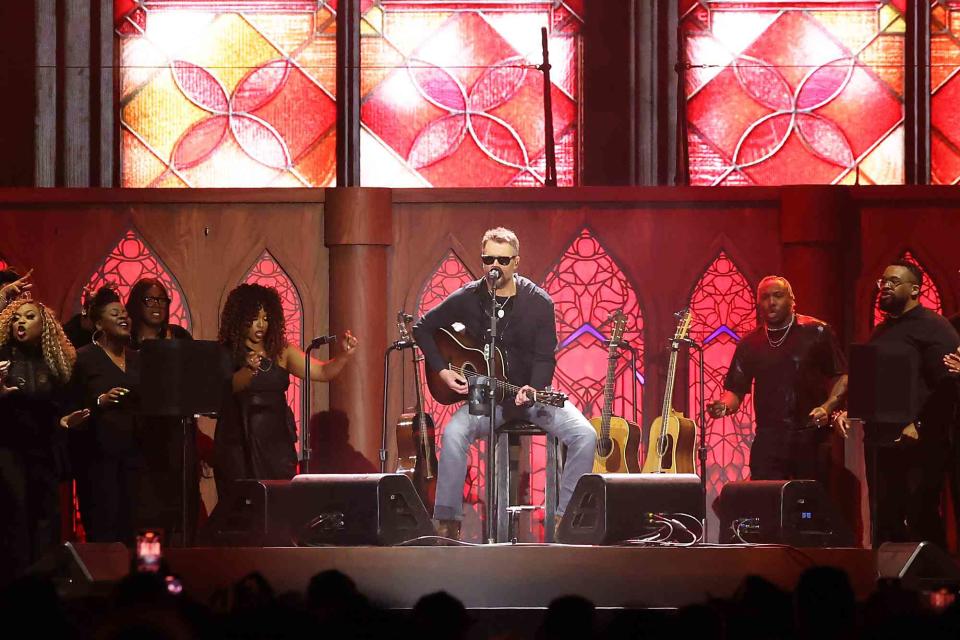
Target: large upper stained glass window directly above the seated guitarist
451,98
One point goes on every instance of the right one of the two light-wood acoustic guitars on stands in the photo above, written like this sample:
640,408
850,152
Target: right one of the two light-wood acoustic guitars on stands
673,437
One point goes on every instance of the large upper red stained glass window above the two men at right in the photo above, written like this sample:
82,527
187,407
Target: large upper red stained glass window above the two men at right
785,92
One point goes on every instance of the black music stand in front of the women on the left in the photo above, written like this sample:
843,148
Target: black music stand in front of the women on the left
182,379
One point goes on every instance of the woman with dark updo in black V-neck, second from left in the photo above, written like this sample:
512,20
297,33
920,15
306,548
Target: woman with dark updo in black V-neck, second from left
109,462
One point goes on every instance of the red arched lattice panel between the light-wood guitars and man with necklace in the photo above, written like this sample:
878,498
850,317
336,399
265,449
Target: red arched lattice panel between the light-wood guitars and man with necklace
723,307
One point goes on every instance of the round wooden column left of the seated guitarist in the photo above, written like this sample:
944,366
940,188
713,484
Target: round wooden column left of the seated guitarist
358,230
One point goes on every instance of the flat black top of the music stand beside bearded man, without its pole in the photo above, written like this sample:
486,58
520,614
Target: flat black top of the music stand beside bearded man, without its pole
883,383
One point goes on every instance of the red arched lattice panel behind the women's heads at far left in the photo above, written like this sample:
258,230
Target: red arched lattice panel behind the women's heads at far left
132,259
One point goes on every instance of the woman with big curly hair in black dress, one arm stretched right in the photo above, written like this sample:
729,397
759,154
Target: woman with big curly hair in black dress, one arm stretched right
255,432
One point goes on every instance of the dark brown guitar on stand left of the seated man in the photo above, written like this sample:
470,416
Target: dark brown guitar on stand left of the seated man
416,433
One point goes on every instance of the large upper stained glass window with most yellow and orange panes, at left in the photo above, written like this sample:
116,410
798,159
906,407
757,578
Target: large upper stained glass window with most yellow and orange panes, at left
226,94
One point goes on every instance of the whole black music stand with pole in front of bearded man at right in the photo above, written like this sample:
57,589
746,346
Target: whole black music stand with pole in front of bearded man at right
883,395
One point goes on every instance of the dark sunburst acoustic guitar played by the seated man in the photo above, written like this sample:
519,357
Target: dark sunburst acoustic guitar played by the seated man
465,355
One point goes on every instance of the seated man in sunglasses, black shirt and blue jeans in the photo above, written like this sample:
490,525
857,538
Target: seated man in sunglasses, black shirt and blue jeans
528,337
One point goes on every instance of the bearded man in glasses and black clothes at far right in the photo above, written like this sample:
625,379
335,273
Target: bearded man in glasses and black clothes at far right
910,460
